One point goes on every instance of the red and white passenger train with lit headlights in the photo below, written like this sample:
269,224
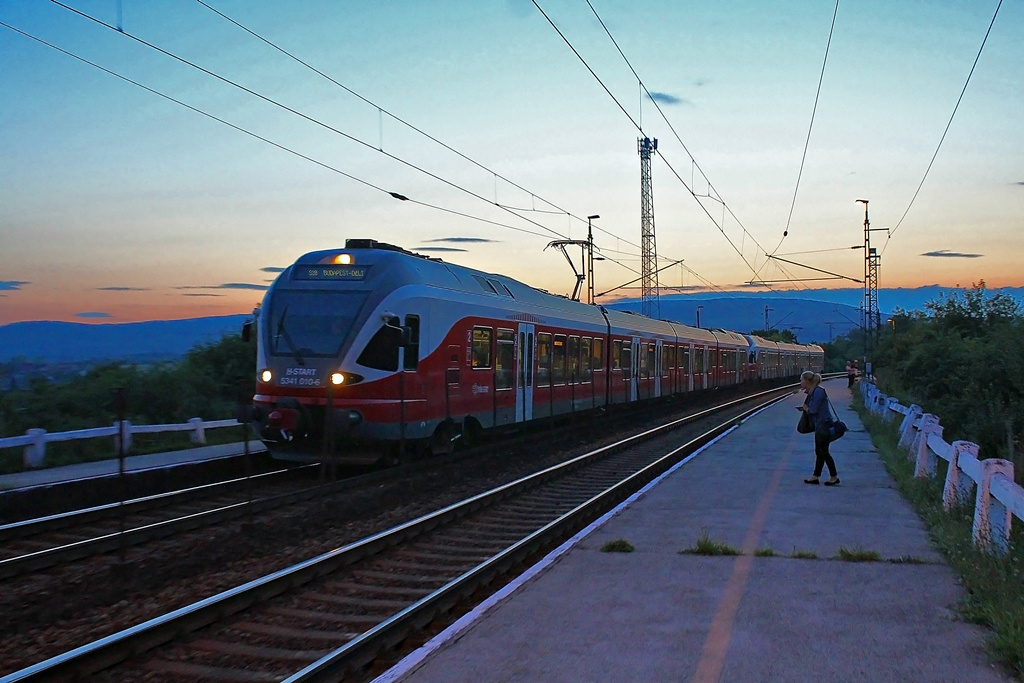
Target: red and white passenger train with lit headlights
372,346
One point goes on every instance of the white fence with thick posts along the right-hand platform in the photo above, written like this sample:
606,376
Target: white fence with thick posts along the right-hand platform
998,498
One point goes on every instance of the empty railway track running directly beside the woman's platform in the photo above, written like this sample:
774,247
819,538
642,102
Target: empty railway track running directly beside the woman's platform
330,617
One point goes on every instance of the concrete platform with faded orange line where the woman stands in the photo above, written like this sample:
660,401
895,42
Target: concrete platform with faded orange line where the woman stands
657,615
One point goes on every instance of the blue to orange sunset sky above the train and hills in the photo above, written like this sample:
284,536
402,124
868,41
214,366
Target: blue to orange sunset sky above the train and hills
119,205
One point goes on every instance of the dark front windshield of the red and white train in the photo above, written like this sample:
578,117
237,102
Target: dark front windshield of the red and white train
312,324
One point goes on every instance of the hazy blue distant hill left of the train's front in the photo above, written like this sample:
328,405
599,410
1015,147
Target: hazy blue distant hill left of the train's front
73,343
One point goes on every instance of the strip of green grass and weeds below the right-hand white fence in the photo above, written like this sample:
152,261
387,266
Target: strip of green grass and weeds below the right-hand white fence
995,585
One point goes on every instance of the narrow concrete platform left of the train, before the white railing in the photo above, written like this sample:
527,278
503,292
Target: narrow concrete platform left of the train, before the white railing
103,468
